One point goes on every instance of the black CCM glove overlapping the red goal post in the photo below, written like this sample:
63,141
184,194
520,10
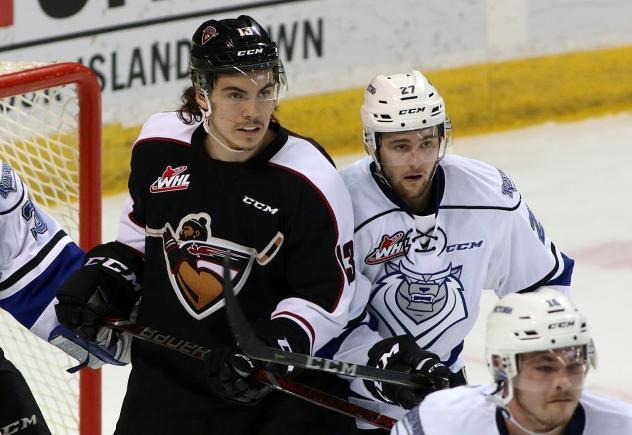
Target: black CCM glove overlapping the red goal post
105,286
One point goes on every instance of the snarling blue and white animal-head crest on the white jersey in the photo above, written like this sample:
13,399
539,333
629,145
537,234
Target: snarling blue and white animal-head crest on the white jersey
423,305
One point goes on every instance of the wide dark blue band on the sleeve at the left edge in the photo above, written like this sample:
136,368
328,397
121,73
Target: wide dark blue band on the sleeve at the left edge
28,304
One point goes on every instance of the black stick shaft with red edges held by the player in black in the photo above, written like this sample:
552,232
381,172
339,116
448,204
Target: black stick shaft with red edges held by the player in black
278,383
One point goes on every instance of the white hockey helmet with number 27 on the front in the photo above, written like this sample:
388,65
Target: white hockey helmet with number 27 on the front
402,102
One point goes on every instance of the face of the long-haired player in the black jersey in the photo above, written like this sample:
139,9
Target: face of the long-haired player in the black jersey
242,105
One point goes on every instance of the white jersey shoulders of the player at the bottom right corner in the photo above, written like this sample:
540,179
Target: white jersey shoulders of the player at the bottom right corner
470,410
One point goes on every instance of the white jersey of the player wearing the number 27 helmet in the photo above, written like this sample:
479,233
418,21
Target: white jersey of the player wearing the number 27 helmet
427,273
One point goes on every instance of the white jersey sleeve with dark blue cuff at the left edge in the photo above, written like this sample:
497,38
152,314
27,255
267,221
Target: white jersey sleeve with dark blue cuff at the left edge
36,256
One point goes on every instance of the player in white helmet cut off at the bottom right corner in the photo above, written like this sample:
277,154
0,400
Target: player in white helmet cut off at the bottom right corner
539,350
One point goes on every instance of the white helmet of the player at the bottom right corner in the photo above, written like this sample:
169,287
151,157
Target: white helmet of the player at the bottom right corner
542,320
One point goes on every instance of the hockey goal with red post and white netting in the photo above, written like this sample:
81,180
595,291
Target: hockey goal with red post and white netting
50,127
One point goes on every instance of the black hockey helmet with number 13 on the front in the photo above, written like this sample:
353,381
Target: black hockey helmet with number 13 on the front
230,46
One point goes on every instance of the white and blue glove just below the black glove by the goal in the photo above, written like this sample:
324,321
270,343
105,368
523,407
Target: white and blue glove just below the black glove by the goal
110,347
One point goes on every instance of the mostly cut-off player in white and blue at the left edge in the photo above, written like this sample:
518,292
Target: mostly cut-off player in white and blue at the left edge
36,255
